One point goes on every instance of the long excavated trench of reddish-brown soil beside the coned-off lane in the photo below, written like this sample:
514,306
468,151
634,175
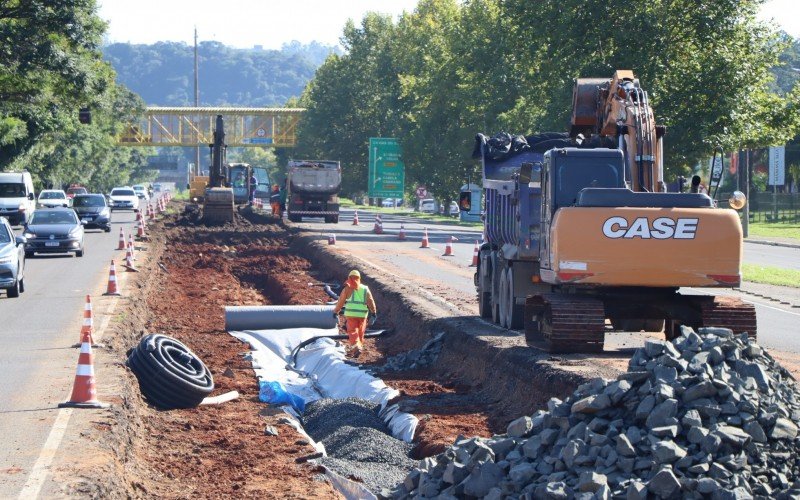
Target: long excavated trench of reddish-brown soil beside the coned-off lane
455,387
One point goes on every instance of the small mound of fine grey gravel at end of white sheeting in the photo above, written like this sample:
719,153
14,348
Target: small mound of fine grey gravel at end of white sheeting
357,442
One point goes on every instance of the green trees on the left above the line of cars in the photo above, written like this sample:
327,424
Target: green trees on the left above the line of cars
50,66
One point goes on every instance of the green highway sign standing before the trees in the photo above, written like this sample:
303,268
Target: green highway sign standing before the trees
387,172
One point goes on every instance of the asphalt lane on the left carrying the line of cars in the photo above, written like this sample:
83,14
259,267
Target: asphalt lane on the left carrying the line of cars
37,364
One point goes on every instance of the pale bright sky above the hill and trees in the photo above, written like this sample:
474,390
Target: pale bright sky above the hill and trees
271,23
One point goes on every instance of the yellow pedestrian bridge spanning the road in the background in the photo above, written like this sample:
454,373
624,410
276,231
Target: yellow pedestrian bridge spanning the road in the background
244,127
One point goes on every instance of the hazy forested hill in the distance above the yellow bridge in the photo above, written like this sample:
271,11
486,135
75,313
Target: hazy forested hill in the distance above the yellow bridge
162,73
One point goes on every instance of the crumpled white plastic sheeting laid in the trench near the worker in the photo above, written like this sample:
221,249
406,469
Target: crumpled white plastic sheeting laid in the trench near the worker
320,372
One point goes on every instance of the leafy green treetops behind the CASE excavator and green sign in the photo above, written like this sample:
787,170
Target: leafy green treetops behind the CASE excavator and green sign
451,69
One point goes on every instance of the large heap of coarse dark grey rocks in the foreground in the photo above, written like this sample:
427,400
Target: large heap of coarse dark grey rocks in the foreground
710,415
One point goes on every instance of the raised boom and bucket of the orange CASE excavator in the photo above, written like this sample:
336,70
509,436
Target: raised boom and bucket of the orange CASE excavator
619,108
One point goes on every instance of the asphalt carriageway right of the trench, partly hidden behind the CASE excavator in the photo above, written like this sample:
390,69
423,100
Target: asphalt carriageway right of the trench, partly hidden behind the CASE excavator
778,324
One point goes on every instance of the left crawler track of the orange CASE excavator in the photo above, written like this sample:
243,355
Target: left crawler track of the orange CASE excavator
572,323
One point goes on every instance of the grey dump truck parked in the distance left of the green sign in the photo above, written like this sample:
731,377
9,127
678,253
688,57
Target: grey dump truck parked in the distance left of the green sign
313,189
